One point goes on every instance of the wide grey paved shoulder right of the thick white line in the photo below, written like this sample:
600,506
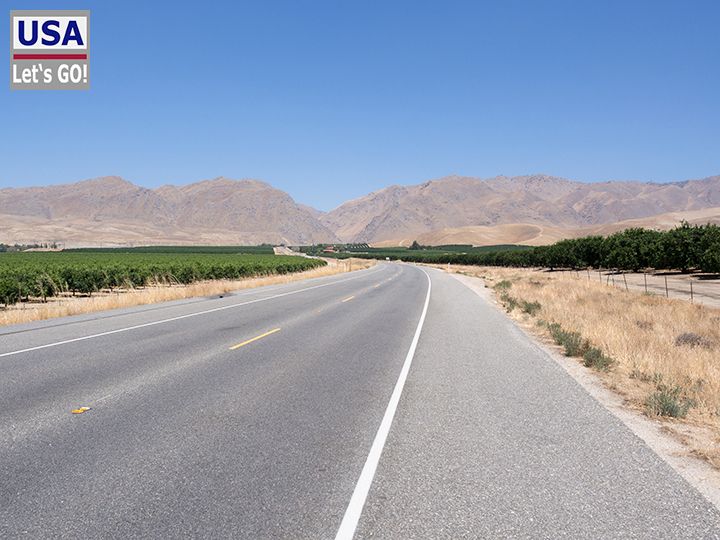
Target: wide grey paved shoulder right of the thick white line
493,439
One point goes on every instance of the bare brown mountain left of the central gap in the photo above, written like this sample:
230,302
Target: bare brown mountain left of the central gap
112,210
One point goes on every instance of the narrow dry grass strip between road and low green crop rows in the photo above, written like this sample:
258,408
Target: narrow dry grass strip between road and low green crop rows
61,307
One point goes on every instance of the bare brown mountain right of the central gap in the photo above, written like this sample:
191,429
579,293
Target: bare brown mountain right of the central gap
400,212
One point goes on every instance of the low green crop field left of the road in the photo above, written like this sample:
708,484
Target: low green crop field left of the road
42,275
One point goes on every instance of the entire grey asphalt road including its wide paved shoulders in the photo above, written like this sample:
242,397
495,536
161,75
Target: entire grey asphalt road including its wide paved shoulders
257,415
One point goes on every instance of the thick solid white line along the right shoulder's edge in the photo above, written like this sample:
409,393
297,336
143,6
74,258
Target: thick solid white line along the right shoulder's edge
359,496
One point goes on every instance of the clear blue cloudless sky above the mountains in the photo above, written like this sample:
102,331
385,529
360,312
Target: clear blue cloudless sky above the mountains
331,100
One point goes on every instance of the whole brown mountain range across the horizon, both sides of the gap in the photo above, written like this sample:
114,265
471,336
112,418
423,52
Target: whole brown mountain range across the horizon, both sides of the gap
528,209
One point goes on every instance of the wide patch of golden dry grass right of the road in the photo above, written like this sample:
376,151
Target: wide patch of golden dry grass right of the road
642,334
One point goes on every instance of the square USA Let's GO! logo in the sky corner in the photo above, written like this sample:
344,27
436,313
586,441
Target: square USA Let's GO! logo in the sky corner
50,50
